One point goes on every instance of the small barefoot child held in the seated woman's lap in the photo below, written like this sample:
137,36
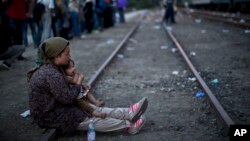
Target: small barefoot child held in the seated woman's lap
85,98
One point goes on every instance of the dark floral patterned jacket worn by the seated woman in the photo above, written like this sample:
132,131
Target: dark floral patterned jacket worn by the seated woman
52,100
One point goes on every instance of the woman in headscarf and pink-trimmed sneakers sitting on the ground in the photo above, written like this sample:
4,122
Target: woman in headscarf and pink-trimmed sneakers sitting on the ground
52,99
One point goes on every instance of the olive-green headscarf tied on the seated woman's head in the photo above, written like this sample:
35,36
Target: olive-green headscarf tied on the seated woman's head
49,49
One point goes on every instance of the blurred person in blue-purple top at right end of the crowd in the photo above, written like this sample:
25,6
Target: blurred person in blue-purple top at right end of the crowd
121,5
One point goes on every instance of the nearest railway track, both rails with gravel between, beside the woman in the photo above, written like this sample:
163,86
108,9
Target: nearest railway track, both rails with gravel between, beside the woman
167,104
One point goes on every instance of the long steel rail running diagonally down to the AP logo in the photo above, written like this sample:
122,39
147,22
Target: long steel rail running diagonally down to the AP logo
219,109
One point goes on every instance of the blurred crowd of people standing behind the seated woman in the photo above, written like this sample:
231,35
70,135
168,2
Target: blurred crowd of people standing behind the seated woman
52,18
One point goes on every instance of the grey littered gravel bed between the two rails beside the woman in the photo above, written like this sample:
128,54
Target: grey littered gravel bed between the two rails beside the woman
122,73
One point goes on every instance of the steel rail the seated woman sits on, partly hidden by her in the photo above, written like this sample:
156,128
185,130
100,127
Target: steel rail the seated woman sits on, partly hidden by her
52,133
